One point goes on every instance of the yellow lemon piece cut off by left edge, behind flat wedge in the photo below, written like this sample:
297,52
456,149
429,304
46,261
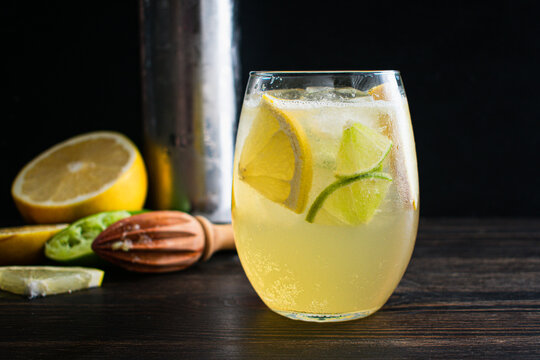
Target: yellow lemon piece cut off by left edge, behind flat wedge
24,245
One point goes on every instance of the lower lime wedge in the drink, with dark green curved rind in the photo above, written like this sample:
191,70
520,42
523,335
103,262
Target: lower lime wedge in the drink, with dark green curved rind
350,201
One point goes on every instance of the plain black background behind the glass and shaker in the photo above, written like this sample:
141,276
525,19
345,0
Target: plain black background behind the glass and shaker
470,71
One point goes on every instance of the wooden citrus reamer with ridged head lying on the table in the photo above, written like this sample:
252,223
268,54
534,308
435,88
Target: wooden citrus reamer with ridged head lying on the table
162,241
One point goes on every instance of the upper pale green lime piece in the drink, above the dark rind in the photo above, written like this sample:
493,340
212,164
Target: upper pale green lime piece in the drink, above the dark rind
362,150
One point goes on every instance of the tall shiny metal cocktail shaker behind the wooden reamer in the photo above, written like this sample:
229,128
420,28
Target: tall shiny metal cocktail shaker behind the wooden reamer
190,76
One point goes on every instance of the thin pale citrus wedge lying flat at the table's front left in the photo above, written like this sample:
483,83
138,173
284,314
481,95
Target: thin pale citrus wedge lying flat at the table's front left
35,281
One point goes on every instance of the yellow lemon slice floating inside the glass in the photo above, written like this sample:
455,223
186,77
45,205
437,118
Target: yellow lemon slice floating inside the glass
276,157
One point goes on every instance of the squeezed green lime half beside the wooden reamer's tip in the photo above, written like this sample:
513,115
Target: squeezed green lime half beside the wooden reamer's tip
73,244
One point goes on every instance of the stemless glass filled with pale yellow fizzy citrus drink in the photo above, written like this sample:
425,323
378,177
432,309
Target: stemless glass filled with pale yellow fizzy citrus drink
325,191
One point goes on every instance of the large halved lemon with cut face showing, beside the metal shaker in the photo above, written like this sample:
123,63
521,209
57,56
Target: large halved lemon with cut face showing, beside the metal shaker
84,175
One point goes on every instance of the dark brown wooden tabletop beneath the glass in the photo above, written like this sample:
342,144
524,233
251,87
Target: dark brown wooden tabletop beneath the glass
472,290
